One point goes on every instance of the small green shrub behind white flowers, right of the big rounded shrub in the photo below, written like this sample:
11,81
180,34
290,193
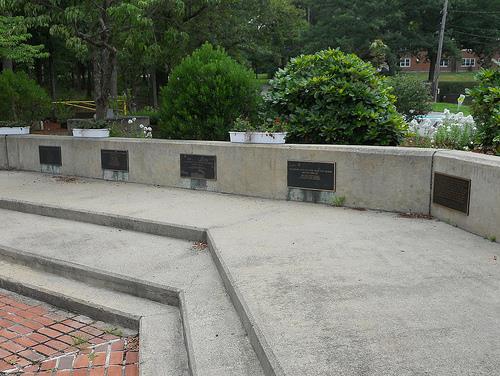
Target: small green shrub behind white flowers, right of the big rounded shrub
412,95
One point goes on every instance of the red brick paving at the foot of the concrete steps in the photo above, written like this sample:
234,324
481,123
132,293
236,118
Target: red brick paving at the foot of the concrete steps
37,339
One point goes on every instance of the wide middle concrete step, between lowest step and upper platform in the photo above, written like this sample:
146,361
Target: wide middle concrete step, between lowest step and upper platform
219,342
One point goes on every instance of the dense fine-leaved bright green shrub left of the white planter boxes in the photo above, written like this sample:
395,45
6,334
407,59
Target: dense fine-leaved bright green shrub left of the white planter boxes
205,94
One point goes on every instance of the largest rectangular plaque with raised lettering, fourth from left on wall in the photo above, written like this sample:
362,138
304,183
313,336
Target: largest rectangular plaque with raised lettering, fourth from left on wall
311,175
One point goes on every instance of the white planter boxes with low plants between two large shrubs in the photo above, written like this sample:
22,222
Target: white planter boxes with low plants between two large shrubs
269,132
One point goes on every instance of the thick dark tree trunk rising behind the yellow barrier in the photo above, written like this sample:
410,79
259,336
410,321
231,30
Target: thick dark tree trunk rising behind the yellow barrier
103,73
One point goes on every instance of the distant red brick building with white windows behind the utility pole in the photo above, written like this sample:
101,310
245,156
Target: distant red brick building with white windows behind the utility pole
468,62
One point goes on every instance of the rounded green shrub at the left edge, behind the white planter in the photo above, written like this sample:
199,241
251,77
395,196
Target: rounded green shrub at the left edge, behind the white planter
21,98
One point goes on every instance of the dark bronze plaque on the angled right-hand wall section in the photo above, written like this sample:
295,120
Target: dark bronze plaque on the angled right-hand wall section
452,192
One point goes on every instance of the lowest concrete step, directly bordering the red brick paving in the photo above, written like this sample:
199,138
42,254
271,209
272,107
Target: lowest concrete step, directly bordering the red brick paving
161,345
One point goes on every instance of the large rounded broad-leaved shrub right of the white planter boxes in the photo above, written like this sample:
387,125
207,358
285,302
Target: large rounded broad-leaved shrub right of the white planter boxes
335,98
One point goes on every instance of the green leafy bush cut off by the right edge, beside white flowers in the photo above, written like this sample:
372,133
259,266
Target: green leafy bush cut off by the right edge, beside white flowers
486,107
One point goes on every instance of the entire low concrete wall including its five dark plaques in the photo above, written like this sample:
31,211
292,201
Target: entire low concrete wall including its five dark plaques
460,188
